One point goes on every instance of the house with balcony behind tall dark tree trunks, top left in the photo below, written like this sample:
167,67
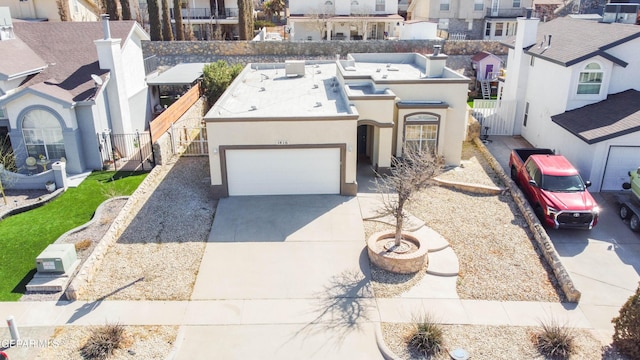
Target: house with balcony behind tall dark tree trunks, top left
203,16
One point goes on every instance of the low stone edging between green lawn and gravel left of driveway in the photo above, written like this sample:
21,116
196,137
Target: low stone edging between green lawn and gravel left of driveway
128,212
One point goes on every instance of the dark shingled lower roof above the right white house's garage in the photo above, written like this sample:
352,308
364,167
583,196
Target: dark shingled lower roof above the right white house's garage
618,115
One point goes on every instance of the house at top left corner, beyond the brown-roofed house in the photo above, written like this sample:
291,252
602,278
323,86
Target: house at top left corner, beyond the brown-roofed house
50,10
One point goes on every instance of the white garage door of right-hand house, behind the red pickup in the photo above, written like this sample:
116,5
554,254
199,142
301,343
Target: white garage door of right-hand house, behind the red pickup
621,160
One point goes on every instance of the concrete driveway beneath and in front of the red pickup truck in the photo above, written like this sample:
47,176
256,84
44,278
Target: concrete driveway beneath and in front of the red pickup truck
604,263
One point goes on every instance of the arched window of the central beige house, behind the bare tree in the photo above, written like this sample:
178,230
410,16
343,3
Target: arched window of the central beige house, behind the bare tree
421,132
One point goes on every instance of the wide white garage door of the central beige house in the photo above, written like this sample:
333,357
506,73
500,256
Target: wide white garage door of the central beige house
283,171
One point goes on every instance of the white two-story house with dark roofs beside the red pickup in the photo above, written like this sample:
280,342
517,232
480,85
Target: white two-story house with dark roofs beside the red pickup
579,95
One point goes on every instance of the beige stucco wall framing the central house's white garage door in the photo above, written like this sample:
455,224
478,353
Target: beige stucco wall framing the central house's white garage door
293,132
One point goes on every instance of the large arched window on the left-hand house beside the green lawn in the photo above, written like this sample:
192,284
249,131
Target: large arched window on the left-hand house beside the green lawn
42,135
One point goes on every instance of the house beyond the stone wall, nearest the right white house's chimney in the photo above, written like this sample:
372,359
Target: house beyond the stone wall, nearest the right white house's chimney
471,19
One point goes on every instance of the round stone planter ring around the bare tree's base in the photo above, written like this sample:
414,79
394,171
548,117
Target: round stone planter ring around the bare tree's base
409,258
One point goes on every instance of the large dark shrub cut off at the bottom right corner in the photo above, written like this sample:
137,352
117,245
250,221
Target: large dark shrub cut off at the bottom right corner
626,336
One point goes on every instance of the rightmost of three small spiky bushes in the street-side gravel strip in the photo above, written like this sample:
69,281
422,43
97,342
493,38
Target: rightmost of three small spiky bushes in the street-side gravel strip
555,341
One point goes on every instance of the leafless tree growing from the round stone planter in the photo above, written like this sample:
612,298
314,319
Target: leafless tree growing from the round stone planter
410,174
